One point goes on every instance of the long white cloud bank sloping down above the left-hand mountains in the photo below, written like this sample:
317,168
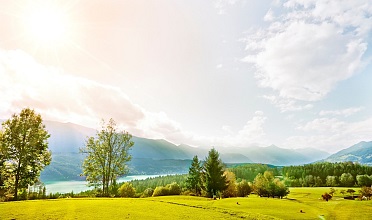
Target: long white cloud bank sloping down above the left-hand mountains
63,97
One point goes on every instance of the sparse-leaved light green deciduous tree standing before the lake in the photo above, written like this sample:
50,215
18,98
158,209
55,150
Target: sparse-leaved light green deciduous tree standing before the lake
107,155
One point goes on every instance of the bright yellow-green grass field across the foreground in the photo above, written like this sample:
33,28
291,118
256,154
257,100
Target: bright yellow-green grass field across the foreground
186,207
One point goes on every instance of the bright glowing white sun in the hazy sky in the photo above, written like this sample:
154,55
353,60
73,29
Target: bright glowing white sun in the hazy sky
46,25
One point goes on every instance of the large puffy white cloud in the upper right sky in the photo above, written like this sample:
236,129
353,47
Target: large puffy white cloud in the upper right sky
310,47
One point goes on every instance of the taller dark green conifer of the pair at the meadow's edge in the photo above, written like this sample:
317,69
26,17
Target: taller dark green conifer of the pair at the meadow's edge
214,179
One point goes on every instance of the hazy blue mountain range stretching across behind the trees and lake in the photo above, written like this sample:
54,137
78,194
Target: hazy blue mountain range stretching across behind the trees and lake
160,156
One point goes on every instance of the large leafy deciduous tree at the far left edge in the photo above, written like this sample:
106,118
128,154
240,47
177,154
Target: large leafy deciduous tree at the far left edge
25,149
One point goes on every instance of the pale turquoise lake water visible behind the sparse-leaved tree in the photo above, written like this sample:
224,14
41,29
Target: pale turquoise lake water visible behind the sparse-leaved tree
79,186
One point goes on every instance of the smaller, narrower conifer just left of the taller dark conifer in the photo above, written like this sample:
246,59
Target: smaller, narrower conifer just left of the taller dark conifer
194,181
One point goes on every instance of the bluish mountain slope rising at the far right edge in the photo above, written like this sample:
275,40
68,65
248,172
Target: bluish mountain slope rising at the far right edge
361,153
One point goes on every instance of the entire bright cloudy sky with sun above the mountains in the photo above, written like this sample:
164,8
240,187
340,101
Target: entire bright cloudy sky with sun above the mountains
230,73
